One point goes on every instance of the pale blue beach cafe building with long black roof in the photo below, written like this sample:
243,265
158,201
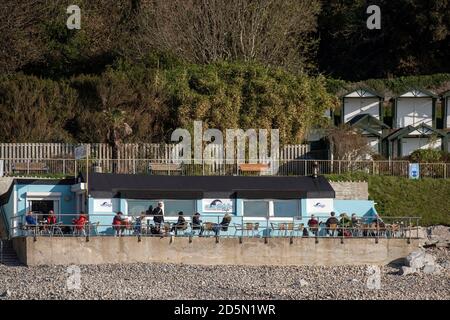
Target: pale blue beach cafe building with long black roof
246,198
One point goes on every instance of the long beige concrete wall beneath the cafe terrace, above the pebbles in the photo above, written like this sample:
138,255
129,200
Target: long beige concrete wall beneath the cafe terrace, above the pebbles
205,251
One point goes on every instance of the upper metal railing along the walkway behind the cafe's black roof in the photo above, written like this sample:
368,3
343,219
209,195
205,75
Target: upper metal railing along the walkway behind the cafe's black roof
71,167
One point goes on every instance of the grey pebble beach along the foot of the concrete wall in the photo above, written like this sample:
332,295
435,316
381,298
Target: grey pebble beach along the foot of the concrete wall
179,281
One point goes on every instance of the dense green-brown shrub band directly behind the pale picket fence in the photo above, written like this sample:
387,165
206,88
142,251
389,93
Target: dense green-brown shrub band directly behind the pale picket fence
156,100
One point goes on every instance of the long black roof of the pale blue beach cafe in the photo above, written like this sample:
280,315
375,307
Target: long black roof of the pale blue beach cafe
135,186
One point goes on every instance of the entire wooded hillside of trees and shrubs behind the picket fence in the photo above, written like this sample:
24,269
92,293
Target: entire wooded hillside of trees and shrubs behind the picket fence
138,69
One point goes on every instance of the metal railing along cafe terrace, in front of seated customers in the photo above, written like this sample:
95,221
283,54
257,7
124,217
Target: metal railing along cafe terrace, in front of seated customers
214,225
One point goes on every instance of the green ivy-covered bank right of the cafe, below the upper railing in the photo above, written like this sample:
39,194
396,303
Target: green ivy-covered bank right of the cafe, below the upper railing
396,197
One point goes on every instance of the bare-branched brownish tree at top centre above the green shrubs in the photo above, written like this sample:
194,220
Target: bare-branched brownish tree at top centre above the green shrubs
274,32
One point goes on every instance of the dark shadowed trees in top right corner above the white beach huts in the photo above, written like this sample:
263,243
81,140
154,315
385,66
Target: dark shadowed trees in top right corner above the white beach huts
414,39
